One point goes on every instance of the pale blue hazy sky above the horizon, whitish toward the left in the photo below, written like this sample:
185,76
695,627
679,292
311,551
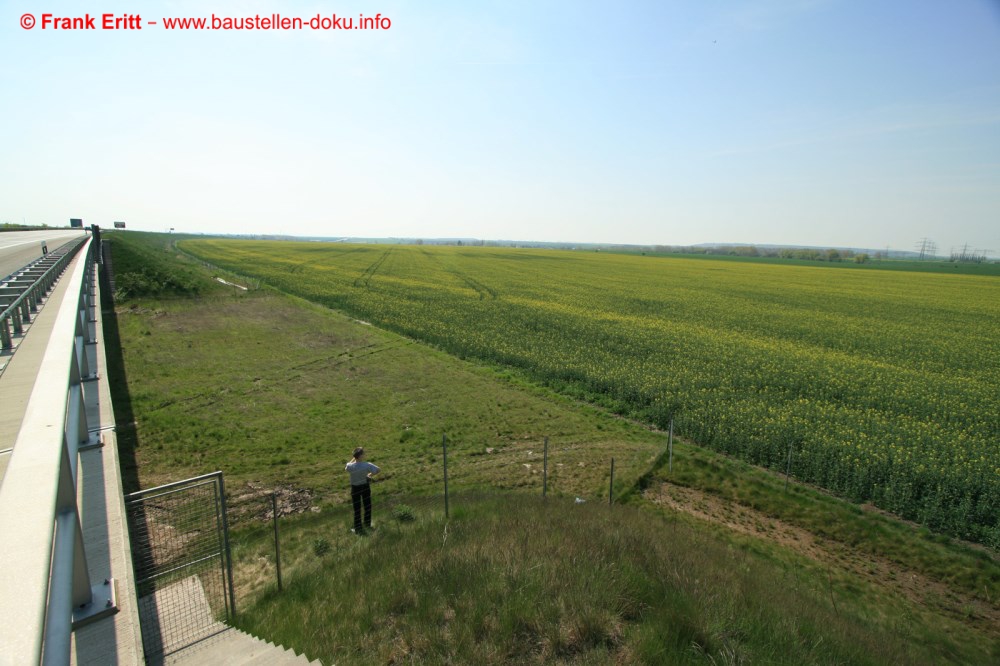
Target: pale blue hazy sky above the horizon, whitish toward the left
815,122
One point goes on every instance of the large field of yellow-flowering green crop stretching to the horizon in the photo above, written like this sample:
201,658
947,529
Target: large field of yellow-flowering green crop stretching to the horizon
883,385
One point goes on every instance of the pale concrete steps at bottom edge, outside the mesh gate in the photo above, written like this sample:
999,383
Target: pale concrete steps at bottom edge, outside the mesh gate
231,647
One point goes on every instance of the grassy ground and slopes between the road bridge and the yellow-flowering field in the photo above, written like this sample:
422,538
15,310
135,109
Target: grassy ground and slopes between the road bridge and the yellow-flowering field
274,390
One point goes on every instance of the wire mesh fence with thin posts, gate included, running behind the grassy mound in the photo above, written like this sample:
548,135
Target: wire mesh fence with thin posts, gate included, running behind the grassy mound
191,568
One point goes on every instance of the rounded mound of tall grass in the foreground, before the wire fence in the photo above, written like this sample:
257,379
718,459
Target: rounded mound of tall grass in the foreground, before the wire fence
516,579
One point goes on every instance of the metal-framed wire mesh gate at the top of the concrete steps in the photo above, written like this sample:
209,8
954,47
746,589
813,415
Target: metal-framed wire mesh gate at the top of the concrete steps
183,566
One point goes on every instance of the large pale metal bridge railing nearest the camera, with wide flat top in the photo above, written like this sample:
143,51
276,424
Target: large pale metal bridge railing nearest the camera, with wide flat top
46,591
